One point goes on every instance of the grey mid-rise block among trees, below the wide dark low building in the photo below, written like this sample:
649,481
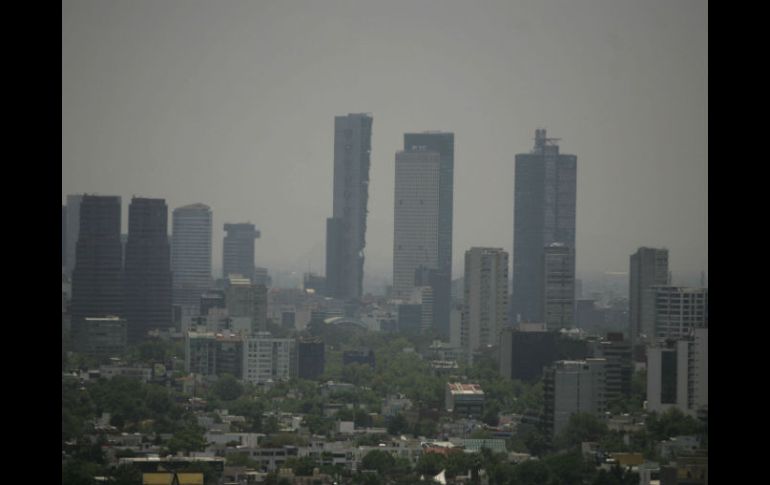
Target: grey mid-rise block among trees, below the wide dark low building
573,387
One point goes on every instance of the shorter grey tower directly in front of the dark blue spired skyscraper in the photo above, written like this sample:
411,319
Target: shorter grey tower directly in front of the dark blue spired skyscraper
559,292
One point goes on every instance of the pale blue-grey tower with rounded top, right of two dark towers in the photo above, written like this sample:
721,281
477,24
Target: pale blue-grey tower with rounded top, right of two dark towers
191,255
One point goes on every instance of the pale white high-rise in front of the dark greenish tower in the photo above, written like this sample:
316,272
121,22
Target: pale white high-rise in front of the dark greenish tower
416,217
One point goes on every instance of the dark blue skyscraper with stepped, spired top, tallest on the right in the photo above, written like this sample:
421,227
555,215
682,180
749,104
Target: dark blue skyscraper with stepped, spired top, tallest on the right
544,213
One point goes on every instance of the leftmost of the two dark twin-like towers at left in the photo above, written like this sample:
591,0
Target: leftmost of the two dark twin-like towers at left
97,278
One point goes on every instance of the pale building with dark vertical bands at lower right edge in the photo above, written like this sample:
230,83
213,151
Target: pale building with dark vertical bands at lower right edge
677,374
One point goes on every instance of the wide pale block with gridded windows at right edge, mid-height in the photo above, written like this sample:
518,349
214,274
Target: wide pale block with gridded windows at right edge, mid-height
678,310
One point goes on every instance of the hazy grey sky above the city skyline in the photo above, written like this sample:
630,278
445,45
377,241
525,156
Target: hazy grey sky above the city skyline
232,104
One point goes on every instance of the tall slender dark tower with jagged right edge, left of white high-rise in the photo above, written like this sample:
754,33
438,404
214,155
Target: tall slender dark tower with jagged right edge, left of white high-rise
346,229
